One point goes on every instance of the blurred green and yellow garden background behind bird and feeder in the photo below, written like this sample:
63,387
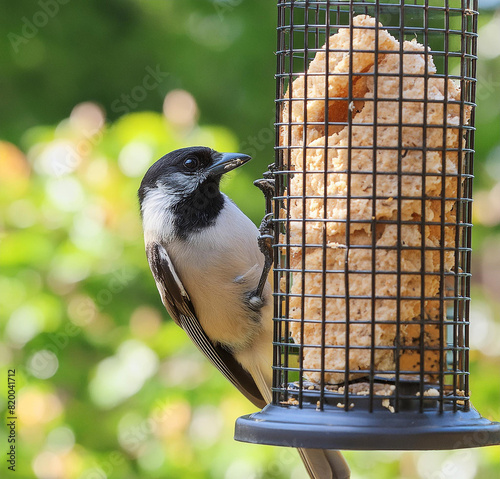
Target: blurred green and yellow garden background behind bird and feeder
107,387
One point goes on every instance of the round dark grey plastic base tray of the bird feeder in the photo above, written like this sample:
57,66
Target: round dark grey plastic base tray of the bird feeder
375,426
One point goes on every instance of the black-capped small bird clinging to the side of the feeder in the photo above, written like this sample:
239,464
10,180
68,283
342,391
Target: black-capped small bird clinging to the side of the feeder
204,255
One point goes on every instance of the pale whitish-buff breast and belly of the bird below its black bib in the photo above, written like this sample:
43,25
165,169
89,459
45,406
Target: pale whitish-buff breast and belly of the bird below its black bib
218,266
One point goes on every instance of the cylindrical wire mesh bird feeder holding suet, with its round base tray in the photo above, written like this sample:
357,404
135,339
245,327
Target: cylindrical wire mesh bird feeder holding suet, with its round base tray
373,170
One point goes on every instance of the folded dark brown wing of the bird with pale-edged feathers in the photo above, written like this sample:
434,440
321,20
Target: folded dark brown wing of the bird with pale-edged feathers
178,304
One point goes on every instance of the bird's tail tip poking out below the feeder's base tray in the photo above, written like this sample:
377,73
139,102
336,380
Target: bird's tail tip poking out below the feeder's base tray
325,464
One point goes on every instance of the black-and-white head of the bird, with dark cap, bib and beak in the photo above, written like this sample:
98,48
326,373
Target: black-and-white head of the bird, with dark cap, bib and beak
183,185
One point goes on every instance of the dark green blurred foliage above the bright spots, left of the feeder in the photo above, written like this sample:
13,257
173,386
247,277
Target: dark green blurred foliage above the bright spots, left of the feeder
220,49
